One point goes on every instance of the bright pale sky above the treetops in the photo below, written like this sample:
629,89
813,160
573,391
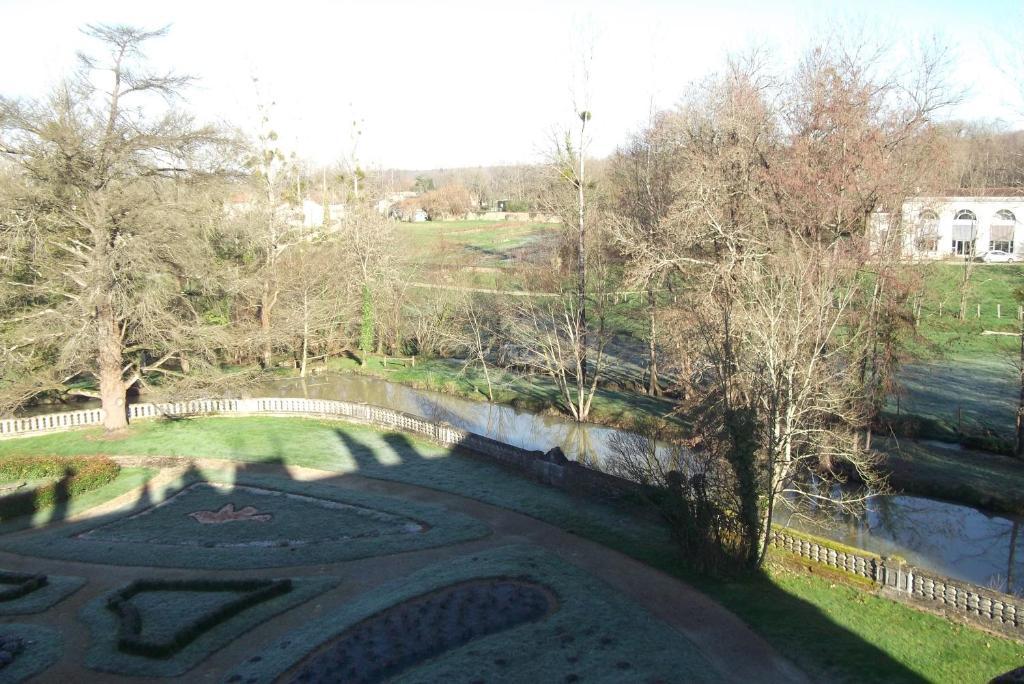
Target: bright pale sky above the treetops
450,84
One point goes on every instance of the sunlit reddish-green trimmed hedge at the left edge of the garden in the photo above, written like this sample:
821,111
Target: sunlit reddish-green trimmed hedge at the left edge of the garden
76,477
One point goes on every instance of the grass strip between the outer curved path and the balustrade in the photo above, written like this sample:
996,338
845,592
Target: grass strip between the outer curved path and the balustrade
832,631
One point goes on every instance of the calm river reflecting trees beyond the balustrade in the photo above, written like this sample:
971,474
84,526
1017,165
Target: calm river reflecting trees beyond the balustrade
962,542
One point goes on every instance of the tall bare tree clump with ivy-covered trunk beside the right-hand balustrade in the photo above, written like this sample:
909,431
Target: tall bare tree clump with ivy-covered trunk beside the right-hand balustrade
772,228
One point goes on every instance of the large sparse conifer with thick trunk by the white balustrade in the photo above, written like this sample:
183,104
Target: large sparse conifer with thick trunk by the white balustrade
103,252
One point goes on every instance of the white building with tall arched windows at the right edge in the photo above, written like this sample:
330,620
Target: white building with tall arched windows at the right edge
940,228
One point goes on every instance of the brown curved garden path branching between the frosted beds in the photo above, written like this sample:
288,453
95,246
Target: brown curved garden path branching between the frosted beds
730,646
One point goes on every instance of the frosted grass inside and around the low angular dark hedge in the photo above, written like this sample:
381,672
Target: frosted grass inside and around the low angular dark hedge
163,617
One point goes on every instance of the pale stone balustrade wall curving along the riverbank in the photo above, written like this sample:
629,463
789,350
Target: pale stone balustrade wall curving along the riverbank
986,608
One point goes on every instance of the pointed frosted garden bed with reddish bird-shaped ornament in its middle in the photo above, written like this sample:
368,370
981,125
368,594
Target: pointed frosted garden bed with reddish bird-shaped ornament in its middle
275,523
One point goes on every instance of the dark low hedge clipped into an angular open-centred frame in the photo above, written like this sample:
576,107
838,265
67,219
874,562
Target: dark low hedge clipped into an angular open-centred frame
131,622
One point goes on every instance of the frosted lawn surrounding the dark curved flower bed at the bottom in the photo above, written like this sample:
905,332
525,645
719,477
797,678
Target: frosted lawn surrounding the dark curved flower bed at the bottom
594,634
